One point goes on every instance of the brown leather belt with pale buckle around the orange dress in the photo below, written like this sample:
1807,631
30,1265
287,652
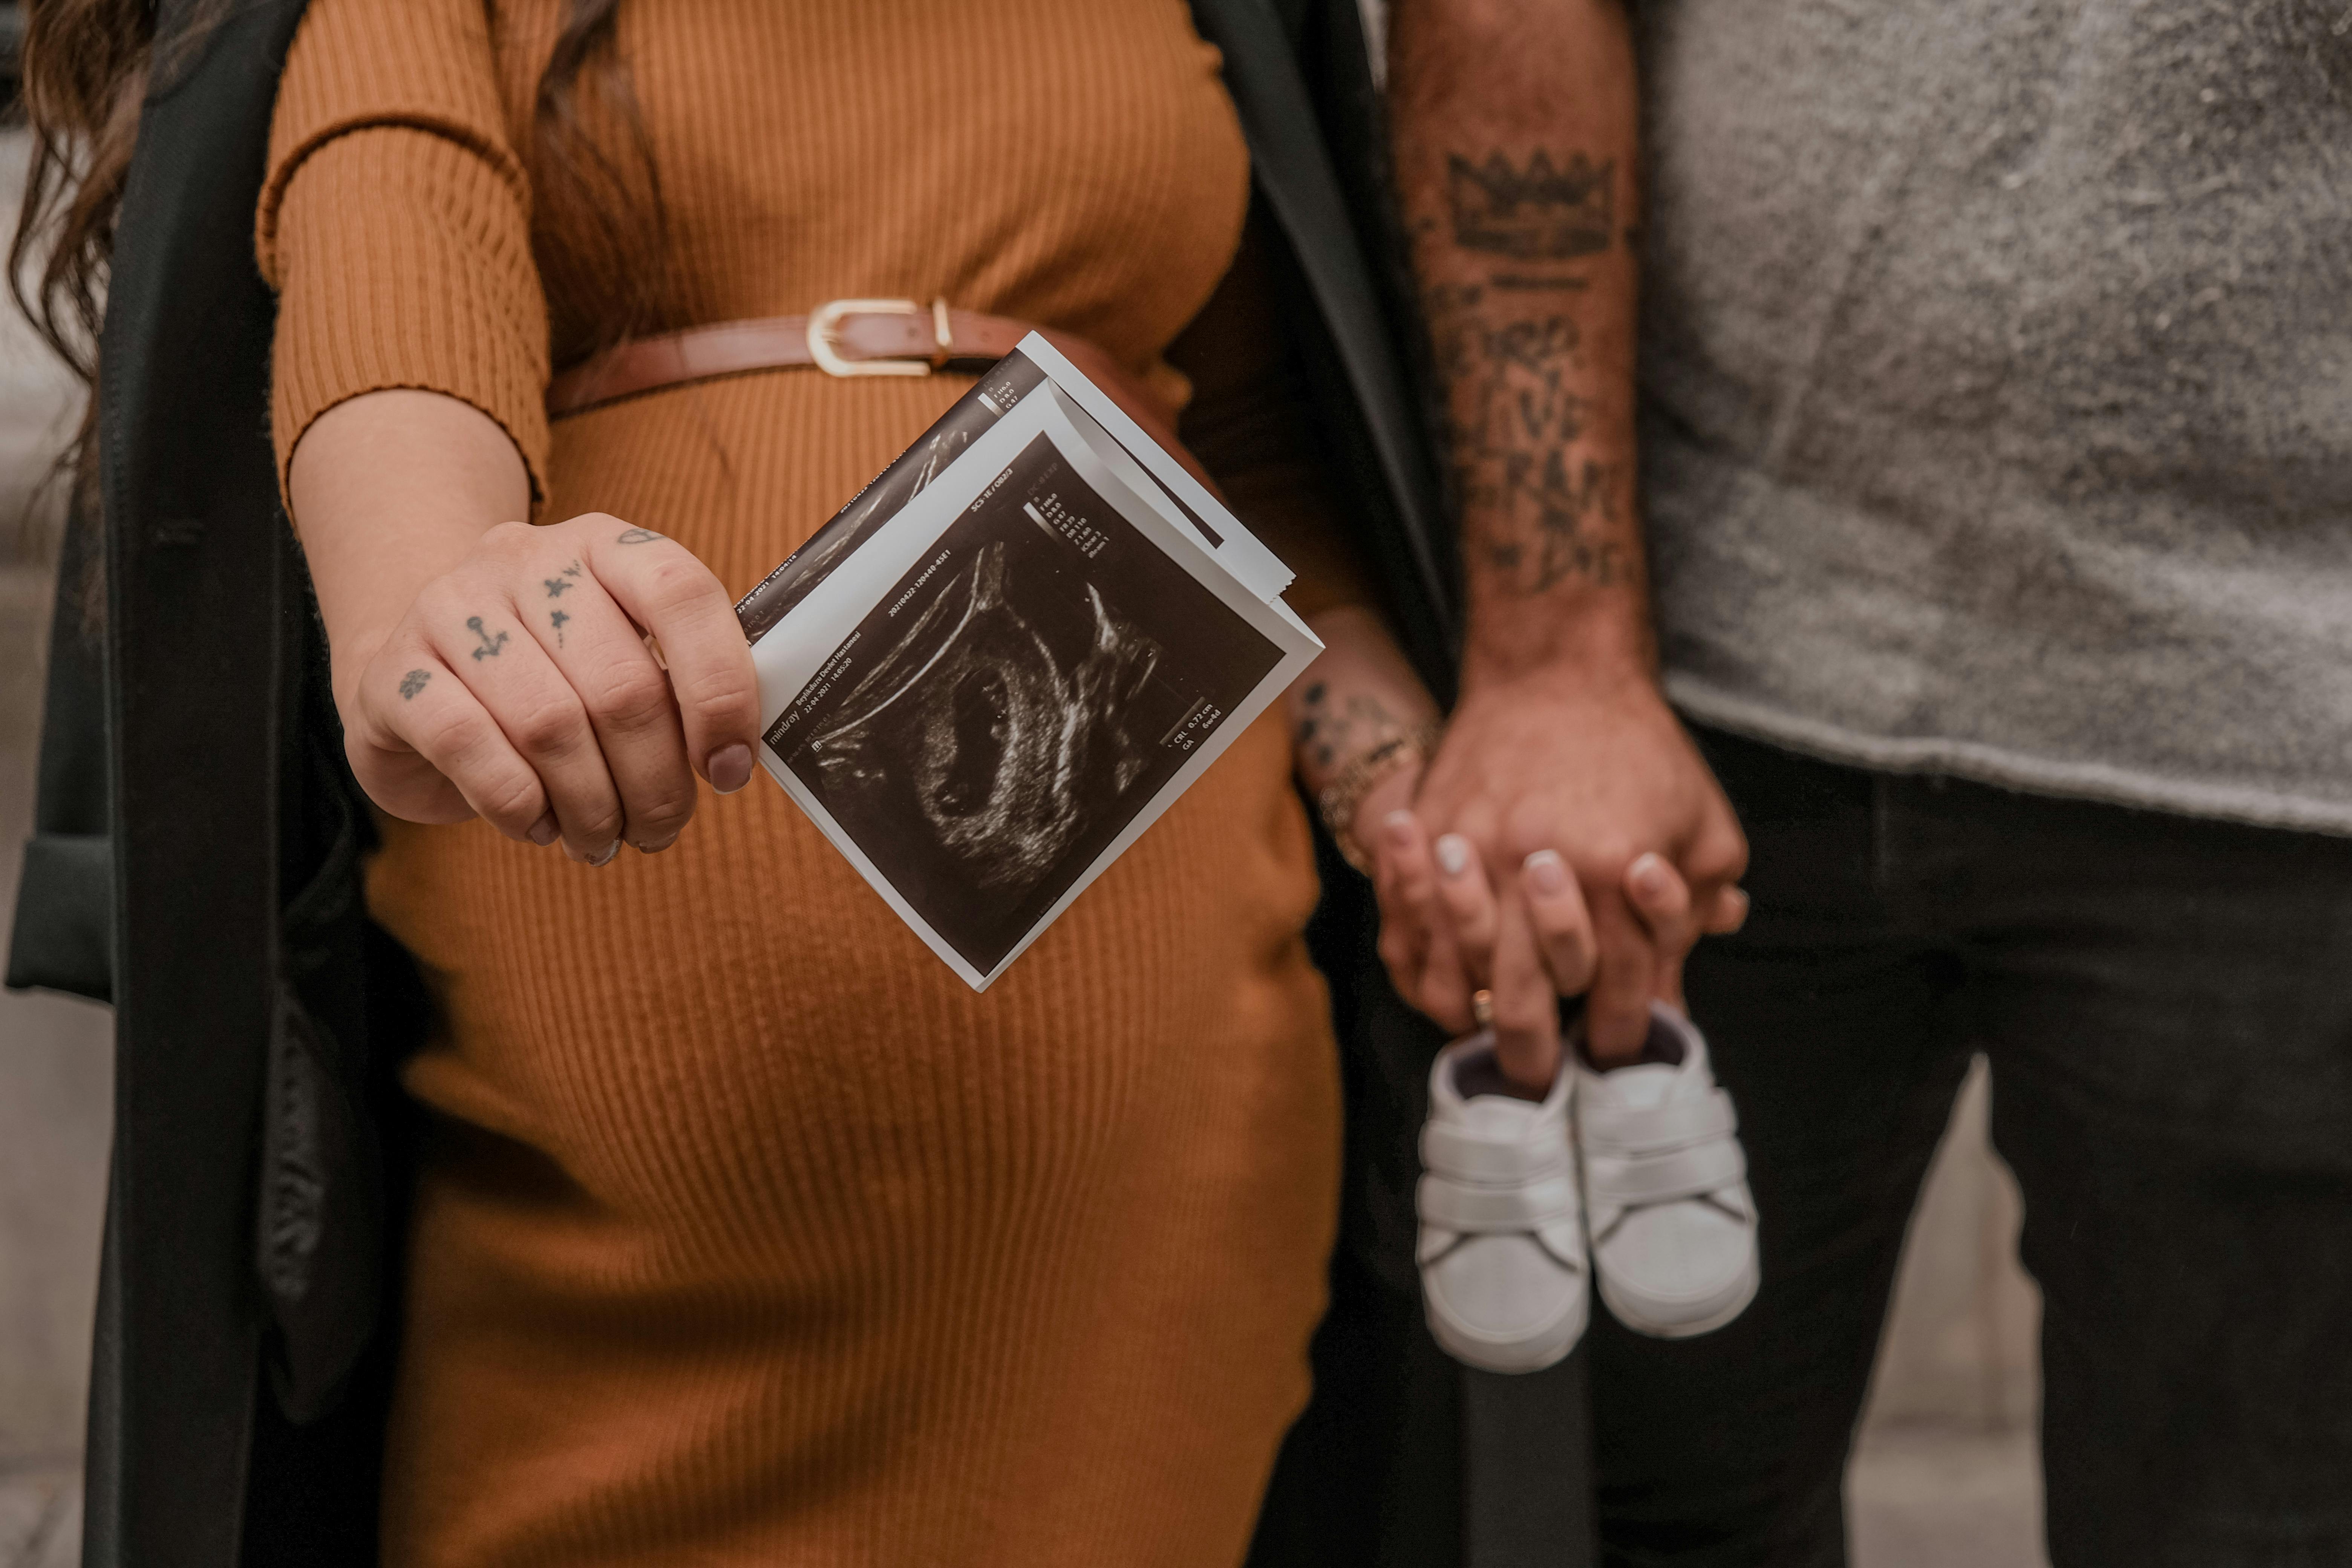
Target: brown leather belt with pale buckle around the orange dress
846,337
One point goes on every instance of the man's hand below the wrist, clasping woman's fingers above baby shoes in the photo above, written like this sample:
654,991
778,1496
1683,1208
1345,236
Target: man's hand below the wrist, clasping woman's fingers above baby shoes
1601,772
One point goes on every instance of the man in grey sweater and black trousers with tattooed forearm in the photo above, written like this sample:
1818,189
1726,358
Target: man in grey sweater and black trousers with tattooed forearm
1996,403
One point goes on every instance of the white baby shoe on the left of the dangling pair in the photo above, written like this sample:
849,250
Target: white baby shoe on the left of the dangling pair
1502,1228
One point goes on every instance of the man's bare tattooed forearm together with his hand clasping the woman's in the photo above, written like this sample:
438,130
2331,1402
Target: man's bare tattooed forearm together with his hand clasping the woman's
1516,135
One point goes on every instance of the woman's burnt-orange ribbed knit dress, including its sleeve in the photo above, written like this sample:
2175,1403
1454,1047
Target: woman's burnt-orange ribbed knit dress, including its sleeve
751,1235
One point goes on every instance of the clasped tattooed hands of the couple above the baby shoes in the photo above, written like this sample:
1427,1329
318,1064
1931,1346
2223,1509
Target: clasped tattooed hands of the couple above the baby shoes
1565,838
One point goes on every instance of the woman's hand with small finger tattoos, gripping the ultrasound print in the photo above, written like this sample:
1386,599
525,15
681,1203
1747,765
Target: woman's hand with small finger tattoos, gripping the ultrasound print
521,690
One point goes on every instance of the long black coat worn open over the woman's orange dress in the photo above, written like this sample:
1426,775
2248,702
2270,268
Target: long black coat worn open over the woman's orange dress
199,852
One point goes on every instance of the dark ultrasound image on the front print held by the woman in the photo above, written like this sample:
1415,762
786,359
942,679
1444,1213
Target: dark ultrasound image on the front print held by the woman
1015,702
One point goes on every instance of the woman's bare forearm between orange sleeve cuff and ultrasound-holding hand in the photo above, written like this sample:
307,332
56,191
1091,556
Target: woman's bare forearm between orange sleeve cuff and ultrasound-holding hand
389,492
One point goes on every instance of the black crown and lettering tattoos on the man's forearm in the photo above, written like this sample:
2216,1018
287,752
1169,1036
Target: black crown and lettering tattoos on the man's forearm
1514,351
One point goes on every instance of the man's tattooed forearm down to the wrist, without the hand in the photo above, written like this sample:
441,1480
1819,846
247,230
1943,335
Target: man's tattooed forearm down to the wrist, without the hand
1523,201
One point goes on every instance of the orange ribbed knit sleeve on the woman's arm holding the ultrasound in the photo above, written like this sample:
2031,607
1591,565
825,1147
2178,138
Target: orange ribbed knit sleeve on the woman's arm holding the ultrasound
396,225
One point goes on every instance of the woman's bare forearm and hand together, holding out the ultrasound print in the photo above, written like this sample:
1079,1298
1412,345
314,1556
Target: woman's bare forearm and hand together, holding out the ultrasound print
495,669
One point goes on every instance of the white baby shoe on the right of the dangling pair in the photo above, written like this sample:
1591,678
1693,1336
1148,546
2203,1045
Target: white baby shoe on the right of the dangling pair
1666,1186
